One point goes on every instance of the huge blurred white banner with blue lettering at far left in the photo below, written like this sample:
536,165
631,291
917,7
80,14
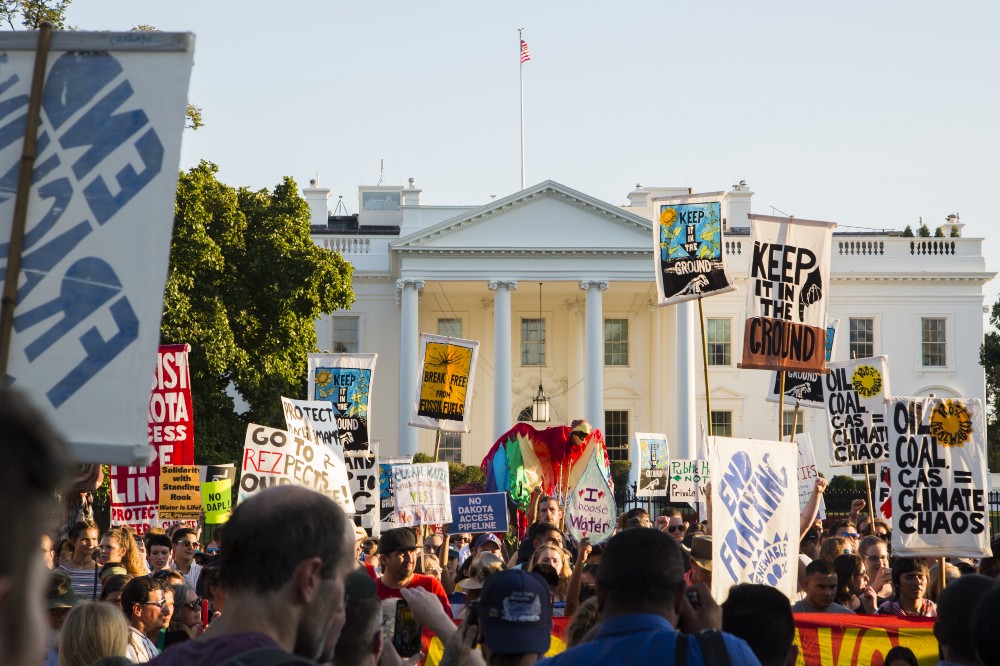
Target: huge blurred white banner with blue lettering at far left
97,239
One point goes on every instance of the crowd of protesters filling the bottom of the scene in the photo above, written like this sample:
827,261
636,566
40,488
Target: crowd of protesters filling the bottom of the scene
291,580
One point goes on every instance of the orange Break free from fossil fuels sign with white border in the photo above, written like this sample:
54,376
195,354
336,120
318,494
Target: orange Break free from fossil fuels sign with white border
444,393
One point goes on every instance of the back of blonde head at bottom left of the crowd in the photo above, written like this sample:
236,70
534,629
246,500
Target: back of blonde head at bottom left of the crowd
92,630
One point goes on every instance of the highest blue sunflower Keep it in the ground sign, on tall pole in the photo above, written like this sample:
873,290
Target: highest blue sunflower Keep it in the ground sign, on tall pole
687,246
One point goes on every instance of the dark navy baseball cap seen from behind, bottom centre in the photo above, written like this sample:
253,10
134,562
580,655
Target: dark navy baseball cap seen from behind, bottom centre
515,613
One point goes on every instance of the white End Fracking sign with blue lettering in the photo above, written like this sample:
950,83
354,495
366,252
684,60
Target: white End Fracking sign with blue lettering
755,514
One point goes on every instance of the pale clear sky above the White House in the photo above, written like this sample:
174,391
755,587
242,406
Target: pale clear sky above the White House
868,114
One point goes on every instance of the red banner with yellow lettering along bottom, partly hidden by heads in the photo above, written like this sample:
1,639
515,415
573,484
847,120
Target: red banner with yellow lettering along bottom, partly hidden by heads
823,639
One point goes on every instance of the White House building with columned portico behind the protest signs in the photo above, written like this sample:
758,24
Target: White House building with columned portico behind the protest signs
558,287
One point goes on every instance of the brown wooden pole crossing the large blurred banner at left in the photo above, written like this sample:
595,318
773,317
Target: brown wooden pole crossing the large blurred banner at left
28,153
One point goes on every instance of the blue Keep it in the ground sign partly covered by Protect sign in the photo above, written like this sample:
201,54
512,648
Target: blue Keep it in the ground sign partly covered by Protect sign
345,381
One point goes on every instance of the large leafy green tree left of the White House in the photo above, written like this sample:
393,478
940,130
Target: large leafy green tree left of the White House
246,284
